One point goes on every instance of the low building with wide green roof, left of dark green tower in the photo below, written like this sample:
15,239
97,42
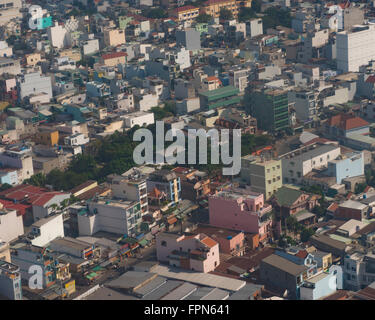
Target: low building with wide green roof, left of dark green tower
222,97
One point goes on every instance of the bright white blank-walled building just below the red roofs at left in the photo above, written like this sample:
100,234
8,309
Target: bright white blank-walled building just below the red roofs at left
46,230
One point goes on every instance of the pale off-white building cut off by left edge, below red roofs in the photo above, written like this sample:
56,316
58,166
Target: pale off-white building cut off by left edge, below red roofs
11,225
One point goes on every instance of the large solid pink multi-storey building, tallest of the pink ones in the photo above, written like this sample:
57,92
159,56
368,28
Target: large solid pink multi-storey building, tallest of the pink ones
240,210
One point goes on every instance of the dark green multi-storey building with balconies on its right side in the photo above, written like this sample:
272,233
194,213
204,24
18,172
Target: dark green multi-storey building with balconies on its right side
271,109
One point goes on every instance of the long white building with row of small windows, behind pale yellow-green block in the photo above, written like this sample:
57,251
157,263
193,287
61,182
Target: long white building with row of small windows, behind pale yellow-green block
297,163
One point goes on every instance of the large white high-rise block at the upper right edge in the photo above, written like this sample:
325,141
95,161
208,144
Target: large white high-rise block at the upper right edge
355,48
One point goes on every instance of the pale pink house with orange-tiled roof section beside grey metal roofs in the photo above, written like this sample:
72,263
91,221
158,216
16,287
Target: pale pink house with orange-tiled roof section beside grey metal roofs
196,252
